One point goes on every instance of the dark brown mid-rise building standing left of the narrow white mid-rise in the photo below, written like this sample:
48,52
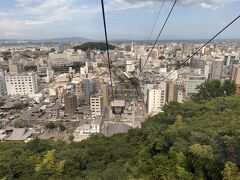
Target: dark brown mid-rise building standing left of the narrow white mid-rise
70,102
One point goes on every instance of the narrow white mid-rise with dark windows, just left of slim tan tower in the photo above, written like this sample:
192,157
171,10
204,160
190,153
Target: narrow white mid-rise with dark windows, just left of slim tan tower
96,105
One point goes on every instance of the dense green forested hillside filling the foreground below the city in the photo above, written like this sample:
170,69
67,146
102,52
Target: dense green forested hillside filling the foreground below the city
194,140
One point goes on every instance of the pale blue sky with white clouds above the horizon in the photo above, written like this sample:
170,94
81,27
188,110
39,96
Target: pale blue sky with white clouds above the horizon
126,19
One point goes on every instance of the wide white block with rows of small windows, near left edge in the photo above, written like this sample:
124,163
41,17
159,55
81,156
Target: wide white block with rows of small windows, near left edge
25,83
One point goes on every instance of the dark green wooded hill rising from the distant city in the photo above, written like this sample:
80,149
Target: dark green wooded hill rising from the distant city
93,45
